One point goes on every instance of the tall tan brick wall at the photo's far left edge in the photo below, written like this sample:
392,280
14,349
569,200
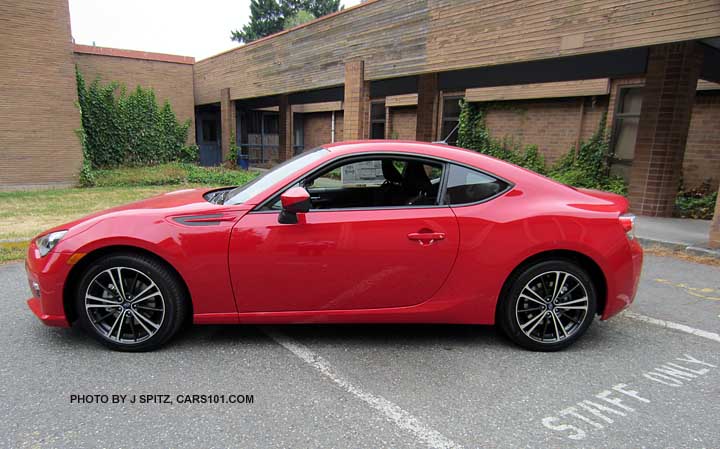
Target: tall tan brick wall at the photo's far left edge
38,117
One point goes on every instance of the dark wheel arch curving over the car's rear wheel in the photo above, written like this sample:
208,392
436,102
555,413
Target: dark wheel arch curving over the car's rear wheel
583,260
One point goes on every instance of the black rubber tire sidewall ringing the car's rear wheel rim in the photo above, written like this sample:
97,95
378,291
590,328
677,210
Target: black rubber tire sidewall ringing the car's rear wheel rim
509,322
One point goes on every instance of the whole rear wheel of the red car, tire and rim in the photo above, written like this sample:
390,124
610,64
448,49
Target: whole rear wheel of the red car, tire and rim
531,321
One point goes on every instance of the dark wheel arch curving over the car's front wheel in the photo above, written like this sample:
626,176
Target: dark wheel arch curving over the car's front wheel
76,273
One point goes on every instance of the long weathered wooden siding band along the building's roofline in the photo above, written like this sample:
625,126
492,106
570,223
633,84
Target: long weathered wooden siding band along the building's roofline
410,37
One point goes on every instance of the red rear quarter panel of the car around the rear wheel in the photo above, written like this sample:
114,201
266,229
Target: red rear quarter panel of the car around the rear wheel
499,235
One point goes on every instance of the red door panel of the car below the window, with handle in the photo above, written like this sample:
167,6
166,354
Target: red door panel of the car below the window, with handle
342,259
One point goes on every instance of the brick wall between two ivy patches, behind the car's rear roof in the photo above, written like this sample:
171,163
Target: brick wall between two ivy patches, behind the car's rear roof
552,124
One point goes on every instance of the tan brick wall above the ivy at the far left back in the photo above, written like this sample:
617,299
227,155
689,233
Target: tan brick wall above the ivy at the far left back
172,81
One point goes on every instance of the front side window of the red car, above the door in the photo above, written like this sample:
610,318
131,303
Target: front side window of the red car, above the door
377,182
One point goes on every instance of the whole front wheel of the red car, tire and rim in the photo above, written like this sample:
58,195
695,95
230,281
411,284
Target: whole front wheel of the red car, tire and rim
131,302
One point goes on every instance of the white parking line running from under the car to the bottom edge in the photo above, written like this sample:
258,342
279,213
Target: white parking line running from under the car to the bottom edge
390,410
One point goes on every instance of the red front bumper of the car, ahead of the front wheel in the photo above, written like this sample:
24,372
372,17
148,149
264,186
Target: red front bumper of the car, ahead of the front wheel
49,273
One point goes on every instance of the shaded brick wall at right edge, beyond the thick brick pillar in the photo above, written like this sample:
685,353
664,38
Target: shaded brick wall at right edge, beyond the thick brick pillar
702,152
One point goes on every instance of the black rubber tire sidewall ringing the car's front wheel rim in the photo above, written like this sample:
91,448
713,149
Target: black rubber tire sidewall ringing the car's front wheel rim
162,277
